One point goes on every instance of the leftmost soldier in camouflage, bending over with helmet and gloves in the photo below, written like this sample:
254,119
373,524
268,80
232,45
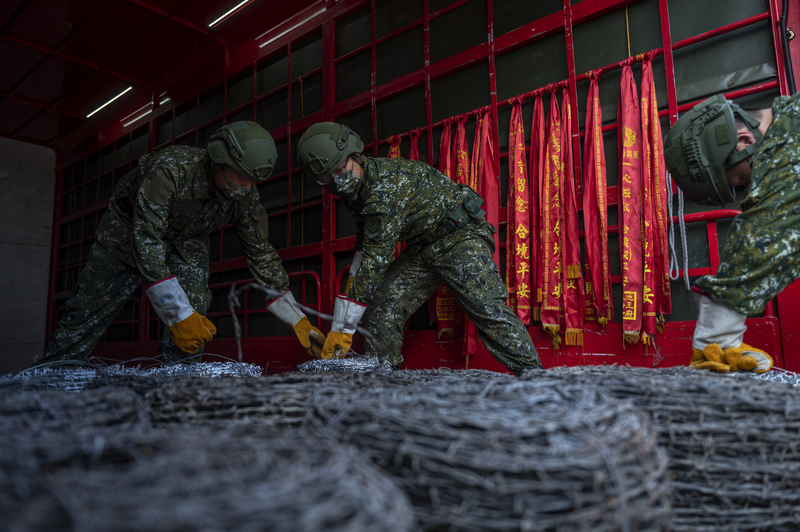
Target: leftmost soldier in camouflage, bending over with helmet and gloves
156,232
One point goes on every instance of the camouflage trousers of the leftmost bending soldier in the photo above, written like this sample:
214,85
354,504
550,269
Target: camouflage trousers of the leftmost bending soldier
104,285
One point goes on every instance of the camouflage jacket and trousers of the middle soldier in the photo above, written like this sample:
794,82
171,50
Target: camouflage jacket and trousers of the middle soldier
400,199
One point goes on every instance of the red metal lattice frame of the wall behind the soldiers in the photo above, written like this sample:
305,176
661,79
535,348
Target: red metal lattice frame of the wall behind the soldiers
422,348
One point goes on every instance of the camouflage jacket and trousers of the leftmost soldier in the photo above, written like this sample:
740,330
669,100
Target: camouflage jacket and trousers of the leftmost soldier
158,225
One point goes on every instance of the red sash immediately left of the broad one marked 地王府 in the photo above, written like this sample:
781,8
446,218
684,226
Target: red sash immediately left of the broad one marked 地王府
599,303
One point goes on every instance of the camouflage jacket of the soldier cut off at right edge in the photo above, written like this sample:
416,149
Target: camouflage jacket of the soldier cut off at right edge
762,253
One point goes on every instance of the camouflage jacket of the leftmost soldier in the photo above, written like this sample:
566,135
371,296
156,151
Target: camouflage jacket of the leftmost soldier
168,200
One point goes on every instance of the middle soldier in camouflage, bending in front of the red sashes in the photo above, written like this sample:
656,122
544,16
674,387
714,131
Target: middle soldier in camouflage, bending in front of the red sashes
448,240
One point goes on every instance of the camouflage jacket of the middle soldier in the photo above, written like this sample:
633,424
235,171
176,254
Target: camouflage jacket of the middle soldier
397,199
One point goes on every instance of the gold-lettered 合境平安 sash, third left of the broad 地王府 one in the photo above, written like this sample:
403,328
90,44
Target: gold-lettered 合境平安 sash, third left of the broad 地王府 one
552,228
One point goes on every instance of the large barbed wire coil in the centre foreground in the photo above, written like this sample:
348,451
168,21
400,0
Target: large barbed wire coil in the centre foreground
492,454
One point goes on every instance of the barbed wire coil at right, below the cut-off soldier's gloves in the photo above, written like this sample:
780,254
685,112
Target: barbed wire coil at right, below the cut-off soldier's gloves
733,444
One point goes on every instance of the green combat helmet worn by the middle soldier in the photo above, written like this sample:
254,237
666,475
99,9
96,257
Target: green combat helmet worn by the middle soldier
324,147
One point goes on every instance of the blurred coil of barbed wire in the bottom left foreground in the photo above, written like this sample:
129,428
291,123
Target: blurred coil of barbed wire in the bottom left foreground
224,478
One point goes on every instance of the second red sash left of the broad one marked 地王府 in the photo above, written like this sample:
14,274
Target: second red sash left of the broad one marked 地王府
572,279
